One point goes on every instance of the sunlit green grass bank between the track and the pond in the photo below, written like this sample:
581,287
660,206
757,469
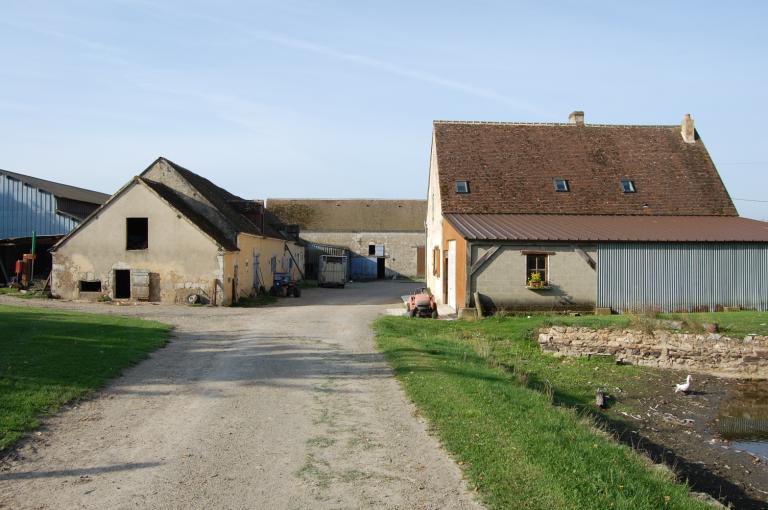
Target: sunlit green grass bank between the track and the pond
515,418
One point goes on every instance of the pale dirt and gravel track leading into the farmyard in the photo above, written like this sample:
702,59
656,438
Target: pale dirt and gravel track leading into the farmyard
280,407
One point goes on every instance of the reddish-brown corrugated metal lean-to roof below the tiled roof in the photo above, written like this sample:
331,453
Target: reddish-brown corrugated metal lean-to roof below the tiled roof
556,227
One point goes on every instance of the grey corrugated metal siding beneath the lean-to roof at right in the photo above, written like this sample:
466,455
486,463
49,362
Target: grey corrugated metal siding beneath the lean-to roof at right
680,276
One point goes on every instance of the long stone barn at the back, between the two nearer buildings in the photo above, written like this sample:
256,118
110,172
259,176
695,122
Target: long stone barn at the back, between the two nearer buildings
385,238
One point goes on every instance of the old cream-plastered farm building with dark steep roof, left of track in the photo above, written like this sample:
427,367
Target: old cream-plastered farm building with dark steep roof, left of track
171,235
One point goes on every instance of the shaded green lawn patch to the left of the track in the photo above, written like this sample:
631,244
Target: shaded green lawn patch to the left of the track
48,358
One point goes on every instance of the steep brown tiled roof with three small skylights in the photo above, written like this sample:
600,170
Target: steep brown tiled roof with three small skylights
511,168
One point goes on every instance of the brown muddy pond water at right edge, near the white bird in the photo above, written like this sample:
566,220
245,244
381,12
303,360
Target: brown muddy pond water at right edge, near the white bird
743,418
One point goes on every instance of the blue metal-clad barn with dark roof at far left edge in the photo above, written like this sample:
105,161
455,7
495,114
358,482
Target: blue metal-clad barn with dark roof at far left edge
50,209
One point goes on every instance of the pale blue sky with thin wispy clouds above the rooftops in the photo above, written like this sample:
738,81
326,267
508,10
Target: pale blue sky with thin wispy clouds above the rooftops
336,99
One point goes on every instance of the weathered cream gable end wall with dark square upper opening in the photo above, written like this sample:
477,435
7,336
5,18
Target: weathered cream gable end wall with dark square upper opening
180,258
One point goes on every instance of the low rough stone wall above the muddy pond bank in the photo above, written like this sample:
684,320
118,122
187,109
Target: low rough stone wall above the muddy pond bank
709,353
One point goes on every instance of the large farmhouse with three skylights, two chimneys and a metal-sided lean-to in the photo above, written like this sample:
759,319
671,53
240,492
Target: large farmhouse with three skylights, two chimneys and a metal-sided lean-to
576,216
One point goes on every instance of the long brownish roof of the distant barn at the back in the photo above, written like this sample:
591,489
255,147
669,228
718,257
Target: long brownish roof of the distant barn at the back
355,215
